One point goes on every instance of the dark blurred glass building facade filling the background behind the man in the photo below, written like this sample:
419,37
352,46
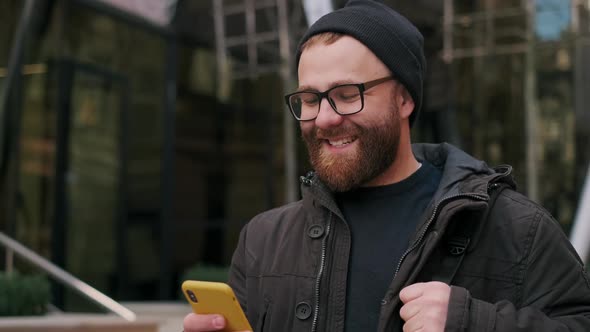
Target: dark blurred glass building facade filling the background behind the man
138,137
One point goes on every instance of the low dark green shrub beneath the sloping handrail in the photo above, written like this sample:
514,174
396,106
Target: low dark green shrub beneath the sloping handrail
23,295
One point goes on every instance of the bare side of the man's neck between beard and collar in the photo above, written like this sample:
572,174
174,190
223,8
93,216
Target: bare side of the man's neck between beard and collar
404,165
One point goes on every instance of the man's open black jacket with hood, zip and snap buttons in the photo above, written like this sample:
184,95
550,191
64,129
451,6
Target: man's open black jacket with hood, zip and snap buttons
520,274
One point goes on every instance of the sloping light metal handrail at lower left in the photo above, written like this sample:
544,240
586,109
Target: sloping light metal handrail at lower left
66,278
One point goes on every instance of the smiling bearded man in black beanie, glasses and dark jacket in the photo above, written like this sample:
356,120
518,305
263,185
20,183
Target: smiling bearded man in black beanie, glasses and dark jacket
364,248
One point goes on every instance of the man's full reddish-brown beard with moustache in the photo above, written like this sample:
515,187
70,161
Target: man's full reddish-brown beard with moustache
376,149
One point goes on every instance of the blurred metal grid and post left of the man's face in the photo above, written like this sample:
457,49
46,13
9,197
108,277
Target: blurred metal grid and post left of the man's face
266,47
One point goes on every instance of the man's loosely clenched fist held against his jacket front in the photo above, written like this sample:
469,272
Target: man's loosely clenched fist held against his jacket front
425,306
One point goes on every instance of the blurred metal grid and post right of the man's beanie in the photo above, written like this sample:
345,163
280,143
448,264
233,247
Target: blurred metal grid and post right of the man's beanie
498,29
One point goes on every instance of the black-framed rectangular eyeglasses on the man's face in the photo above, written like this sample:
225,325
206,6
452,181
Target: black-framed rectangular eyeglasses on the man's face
345,99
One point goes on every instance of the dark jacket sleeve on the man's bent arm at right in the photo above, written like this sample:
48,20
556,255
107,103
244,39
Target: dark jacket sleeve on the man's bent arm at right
555,292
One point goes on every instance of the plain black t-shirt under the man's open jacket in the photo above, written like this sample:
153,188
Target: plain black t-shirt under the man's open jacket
382,220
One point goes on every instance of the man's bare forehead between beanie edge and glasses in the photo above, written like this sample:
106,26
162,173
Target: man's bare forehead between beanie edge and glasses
345,60
